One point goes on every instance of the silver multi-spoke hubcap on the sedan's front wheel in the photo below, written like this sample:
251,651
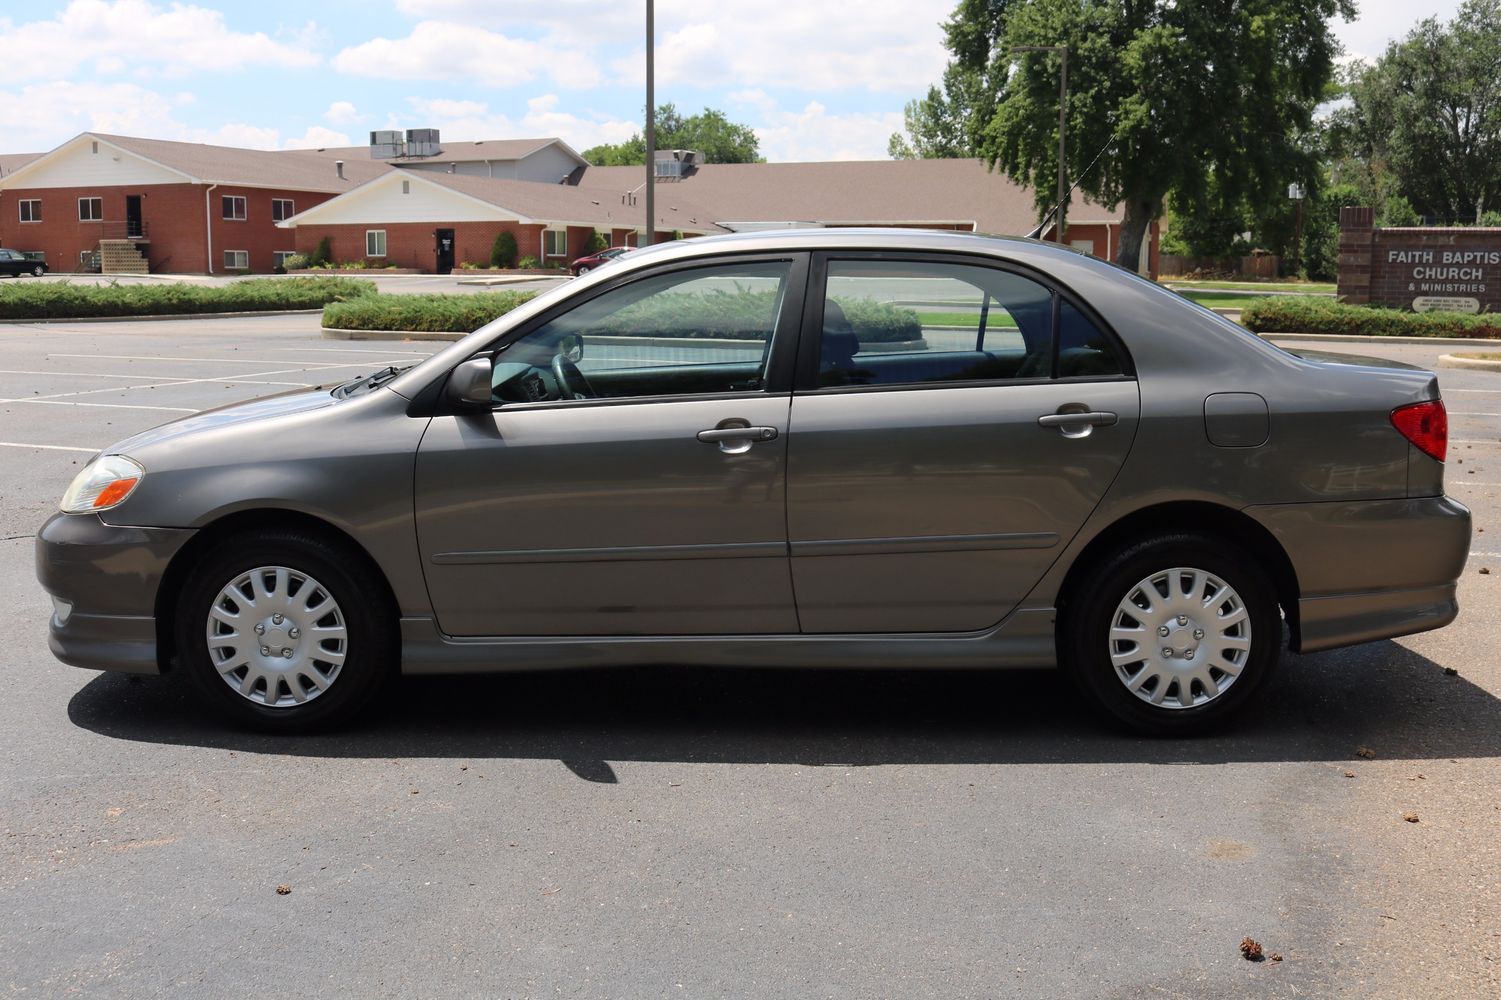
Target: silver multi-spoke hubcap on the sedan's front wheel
277,637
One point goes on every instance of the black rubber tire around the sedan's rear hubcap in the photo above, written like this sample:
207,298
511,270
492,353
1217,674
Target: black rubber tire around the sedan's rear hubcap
1087,645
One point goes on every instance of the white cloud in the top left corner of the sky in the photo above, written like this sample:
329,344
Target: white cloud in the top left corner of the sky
115,37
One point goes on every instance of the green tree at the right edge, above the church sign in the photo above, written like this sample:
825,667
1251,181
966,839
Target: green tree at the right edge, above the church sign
1428,113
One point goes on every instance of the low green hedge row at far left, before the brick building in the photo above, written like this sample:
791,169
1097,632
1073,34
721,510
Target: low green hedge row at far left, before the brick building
67,301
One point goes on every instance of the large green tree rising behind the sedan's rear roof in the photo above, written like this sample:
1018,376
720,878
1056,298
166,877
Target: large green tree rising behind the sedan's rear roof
1169,94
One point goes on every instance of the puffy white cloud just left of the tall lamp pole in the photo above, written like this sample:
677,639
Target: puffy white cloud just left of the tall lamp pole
442,50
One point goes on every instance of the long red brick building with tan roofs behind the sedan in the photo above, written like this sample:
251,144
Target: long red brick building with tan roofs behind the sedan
125,203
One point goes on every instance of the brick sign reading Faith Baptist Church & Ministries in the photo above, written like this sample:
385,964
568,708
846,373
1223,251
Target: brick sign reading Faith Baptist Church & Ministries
1455,270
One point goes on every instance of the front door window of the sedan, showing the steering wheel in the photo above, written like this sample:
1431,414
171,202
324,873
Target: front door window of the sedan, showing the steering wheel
702,331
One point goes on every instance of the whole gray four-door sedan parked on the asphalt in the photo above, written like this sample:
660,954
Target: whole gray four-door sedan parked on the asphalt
828,448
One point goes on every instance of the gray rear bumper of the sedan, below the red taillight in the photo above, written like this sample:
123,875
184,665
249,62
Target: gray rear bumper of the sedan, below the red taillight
1371,570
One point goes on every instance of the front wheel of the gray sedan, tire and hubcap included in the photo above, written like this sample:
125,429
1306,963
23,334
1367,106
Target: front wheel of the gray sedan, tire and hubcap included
284,631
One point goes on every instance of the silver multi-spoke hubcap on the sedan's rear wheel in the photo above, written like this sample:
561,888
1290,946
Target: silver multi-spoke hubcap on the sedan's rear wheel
1181,639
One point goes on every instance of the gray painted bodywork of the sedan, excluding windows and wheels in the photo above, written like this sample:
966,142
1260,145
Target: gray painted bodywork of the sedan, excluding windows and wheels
564,480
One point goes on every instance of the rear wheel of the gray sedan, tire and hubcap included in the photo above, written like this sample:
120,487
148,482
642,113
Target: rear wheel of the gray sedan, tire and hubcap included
1173,636
